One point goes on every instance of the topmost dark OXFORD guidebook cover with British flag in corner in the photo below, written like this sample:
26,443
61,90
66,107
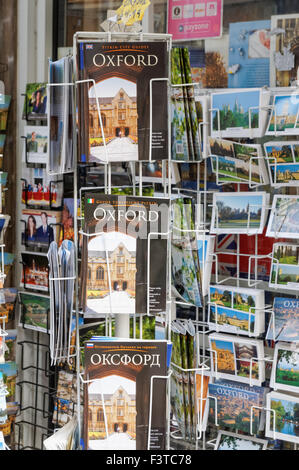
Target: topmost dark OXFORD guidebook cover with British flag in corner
122,73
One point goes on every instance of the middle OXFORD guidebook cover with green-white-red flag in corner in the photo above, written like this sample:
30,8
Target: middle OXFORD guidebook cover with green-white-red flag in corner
124,261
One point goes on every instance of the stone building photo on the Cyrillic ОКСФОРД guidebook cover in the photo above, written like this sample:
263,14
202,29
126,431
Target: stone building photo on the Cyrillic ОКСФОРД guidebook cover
113,424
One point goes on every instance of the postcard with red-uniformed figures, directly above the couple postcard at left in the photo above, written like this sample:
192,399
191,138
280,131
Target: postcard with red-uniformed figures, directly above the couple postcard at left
39,189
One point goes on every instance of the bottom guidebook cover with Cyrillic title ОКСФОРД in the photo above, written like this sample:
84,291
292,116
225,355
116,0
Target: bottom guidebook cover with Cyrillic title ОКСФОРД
117,398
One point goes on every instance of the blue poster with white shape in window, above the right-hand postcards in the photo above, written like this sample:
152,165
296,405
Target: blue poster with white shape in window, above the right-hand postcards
249,54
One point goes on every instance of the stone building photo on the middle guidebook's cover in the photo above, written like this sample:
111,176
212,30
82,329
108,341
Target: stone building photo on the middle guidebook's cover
121,253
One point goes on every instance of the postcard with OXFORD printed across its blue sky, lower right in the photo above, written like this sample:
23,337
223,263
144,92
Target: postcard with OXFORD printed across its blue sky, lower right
234,405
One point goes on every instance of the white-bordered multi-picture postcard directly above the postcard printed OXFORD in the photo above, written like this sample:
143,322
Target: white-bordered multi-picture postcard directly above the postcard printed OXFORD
237,359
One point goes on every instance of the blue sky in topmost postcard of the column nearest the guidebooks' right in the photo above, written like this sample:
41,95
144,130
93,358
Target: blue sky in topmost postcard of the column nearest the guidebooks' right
245,99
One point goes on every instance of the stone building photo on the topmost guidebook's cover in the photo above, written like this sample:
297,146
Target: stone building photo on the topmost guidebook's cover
117,100
